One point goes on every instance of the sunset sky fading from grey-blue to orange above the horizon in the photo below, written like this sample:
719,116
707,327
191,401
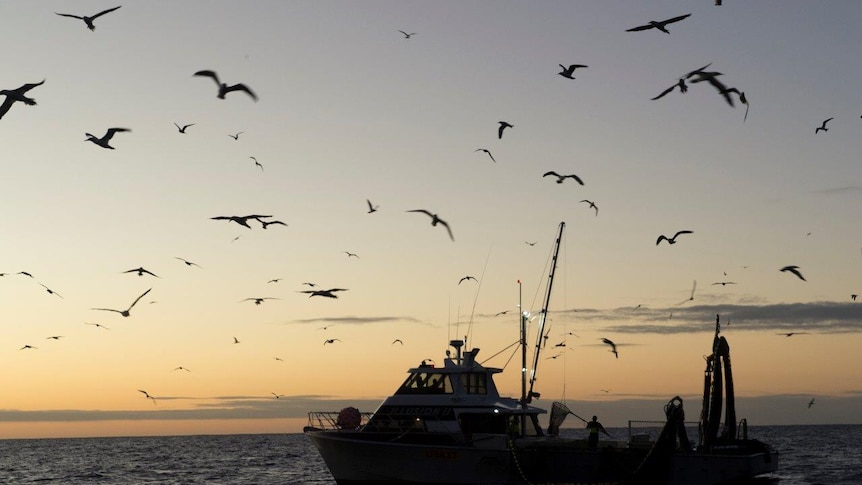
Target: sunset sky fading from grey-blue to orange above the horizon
350,110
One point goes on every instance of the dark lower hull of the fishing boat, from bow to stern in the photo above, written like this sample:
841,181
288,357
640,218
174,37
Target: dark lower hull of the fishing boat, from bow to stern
356,459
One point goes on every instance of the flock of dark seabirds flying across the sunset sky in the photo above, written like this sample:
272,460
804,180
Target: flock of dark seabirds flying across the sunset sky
700,75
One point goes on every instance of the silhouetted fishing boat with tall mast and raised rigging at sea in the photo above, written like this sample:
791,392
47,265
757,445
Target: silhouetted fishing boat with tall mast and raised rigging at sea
450,425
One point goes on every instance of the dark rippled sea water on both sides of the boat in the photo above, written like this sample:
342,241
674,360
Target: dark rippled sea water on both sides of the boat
809,455
